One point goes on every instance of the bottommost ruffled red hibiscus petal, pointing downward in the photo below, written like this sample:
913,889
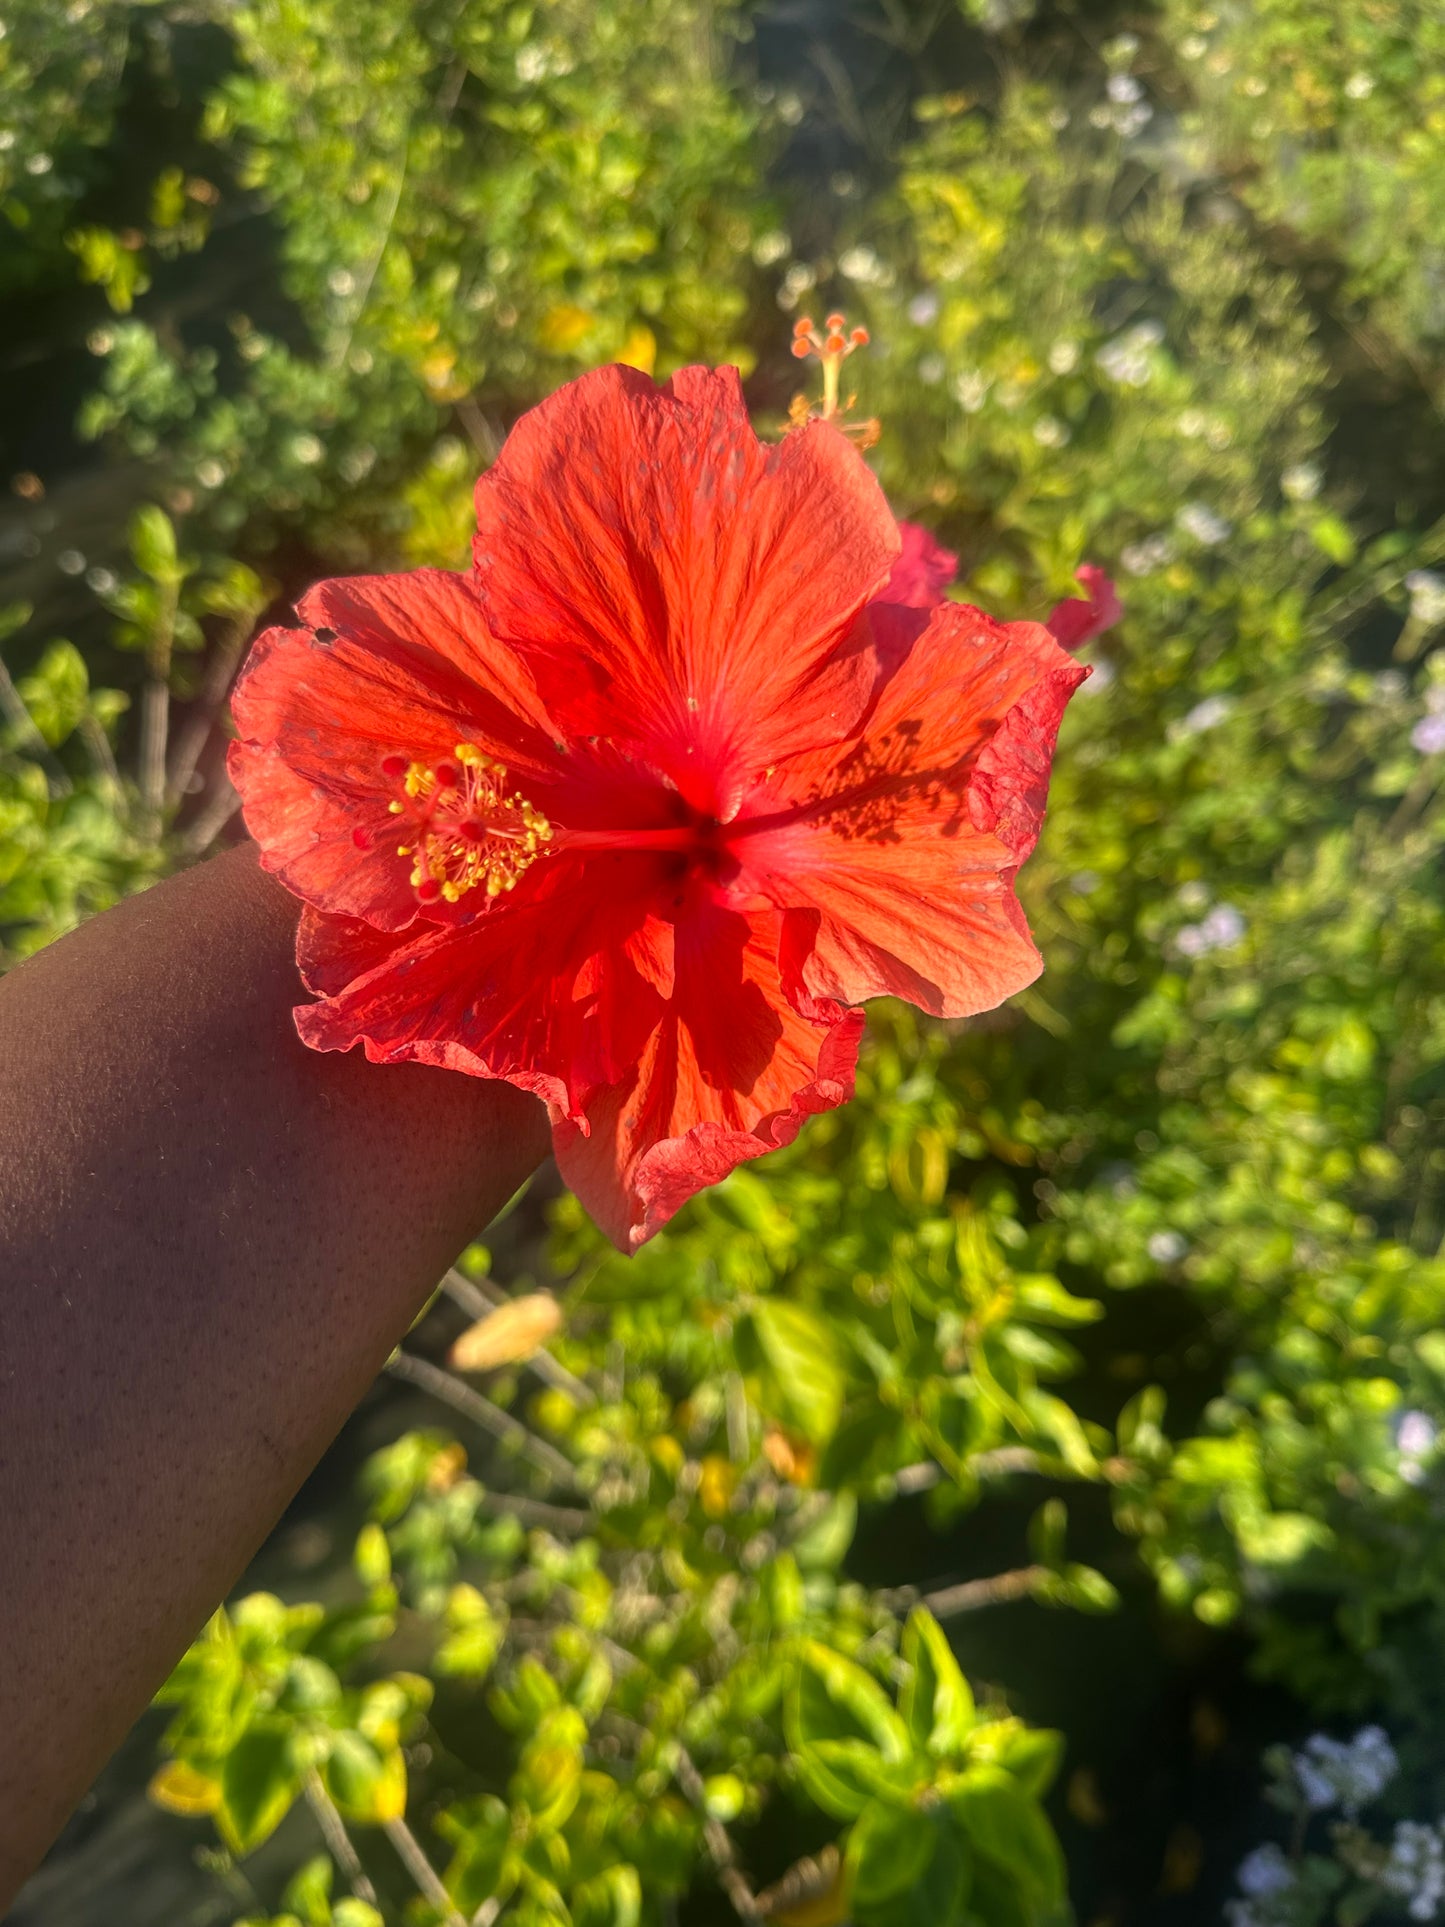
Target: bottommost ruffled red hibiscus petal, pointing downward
731,1072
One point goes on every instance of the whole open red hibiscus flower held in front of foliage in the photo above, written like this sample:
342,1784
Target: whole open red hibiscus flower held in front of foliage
637,812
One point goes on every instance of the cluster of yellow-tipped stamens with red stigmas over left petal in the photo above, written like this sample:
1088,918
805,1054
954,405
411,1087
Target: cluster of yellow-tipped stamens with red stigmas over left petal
467,832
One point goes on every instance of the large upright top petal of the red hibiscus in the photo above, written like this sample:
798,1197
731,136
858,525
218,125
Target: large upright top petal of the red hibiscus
677,585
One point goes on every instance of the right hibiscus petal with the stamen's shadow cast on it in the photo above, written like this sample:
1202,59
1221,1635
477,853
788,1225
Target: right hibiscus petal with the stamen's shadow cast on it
897,866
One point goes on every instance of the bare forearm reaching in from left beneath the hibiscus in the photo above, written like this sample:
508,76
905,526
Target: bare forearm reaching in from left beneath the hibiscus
211,1238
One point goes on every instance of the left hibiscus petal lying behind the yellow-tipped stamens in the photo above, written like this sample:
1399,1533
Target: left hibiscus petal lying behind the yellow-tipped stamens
384,666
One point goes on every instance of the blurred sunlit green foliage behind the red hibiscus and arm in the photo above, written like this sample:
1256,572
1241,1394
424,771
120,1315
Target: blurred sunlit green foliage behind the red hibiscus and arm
1163,1238
